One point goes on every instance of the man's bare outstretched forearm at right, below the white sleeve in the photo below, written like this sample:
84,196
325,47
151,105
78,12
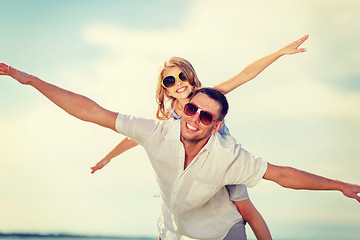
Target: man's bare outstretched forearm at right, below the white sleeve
296,179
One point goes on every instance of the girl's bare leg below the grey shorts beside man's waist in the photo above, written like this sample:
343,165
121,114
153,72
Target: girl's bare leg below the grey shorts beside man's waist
254,218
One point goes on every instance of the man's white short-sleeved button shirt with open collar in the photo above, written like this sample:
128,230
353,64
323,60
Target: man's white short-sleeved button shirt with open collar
195,202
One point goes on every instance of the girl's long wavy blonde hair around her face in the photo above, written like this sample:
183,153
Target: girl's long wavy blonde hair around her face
187,69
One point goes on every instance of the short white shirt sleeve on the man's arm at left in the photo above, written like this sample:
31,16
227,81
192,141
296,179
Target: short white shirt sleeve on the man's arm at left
138,129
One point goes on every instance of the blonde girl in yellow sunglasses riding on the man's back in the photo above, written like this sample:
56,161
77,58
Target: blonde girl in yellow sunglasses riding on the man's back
177,81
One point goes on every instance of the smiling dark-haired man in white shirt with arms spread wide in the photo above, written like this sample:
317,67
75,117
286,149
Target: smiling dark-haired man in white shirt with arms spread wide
191,161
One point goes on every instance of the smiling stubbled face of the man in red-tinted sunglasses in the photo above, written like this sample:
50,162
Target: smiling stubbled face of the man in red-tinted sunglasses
192,130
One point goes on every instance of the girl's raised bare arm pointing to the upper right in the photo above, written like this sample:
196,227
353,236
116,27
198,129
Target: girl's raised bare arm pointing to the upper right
252,70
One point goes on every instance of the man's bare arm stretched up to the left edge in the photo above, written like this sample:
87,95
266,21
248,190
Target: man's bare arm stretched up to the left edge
76,105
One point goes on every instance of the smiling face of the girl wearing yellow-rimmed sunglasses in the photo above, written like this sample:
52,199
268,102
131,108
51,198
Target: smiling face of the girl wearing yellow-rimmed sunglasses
181,89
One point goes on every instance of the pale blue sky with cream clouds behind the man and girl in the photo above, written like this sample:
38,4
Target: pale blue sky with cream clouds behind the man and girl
302,111
